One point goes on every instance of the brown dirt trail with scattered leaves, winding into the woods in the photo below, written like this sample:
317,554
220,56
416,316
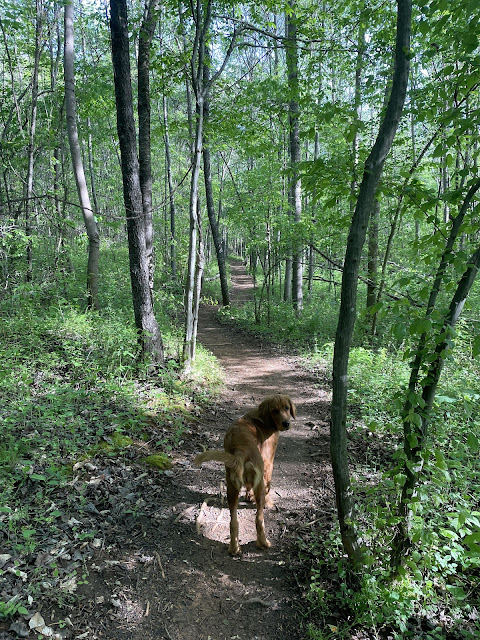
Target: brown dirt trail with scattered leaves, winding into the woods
166,573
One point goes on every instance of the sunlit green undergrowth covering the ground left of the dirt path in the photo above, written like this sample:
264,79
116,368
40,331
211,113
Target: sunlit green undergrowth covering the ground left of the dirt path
71,391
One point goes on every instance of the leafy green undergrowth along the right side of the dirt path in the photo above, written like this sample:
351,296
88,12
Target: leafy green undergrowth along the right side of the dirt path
437,593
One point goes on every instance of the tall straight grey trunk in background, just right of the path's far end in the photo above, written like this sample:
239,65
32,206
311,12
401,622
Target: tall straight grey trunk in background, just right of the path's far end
295,187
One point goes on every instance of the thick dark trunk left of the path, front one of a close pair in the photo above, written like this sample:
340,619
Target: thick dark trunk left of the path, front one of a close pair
149,335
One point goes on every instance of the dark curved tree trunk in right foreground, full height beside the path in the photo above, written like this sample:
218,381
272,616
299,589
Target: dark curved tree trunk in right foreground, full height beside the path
346,321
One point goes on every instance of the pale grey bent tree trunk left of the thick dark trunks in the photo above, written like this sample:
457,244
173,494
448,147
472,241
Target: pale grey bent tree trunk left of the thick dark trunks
77,164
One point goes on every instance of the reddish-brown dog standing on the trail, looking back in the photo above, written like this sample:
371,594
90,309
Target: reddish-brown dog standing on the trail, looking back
249,450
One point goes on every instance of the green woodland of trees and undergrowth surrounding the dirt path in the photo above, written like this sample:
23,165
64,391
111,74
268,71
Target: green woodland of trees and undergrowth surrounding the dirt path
254,125
